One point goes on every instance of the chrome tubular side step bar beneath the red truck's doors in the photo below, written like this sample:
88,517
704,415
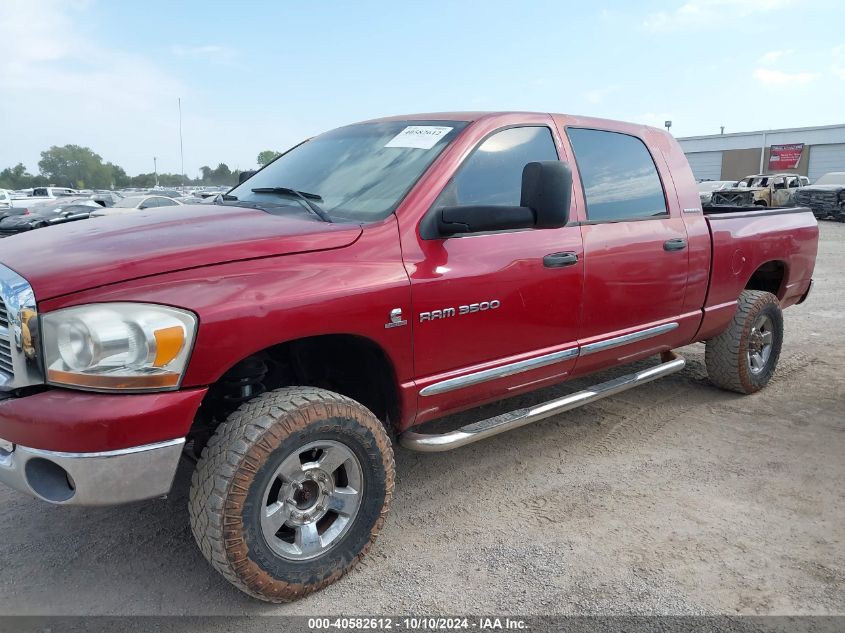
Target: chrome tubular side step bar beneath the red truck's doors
671,363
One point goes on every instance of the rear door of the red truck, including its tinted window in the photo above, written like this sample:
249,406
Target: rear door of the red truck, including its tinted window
635,250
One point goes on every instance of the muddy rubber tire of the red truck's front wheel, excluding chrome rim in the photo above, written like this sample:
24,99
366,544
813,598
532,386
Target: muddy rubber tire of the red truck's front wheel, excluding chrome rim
240,464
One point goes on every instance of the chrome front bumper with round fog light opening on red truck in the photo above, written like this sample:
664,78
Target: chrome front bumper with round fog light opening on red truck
91,479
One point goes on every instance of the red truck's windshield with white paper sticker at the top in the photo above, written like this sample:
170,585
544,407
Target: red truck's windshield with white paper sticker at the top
360,172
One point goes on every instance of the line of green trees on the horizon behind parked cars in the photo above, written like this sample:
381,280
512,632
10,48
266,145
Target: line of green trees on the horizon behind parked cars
82,168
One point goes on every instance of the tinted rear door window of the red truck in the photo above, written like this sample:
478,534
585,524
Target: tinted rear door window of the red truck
618,175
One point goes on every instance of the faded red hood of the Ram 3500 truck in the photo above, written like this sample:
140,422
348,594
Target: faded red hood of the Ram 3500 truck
69,258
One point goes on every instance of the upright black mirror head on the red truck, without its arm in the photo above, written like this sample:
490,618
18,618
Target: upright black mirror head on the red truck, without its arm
547,191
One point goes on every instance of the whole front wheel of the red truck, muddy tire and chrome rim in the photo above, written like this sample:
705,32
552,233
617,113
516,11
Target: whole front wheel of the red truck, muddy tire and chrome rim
291,492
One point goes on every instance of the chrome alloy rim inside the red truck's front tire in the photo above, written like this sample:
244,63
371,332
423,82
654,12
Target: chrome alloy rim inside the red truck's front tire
311,500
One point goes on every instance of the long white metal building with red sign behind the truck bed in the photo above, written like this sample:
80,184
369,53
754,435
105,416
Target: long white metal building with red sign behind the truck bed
732,156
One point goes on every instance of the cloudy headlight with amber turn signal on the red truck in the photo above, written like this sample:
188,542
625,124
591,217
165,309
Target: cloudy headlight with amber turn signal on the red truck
112,346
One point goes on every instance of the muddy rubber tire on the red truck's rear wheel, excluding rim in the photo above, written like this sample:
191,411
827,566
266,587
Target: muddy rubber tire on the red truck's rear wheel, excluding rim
729,364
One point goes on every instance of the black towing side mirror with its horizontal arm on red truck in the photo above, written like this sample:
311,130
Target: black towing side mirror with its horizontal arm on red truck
544,204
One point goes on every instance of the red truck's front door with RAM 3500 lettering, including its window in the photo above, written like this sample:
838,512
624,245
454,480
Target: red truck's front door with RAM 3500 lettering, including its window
493,315
